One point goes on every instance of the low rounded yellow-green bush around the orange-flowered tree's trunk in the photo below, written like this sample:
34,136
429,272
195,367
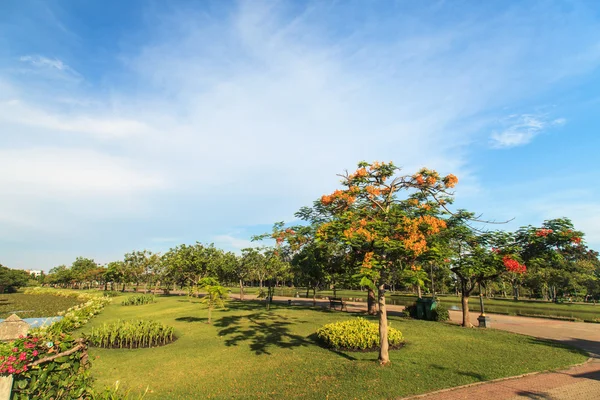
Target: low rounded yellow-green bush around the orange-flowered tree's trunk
356,334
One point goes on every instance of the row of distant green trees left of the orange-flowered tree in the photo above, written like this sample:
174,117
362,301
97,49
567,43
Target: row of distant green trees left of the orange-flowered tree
184,267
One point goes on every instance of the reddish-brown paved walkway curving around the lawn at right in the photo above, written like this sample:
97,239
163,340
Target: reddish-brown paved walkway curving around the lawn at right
577,383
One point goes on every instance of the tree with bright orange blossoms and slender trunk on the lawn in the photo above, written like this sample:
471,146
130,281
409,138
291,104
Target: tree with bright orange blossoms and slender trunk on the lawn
381,229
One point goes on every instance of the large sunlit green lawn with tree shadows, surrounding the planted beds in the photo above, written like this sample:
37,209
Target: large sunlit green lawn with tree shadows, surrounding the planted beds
250,353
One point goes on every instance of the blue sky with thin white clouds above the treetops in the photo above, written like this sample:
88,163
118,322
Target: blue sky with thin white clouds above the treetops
140,124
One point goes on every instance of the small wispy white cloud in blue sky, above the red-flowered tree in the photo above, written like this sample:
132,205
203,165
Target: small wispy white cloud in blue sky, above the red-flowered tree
522,129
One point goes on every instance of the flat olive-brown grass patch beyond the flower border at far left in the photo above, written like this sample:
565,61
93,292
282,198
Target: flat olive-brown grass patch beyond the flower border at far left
33,305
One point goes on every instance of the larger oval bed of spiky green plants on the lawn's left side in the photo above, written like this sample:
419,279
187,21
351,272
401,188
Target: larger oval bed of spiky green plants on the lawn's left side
131,334
